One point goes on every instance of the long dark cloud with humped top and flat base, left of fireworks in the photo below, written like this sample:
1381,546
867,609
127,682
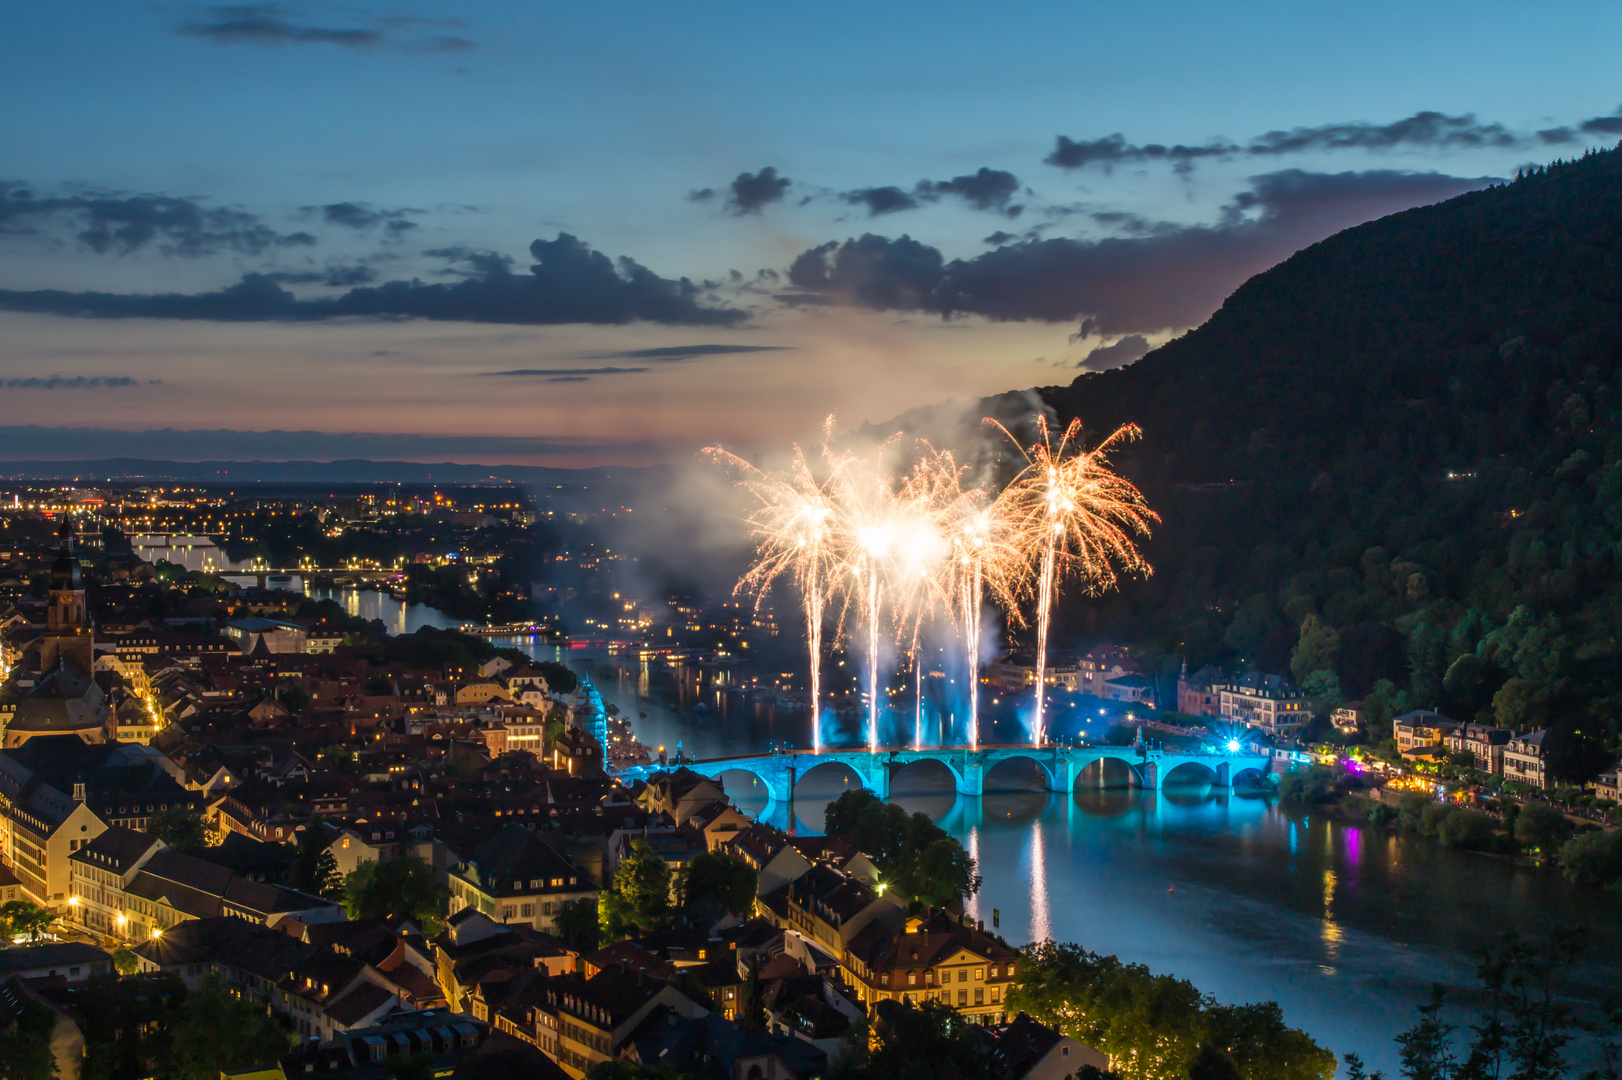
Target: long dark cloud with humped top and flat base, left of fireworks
569,283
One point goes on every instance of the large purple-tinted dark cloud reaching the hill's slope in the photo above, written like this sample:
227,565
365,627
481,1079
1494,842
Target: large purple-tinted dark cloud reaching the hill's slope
1169,280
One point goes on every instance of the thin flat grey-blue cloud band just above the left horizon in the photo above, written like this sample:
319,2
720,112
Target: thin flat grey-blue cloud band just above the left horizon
41,444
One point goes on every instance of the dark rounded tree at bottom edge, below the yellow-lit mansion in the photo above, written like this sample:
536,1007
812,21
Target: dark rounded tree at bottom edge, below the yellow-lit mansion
927,1042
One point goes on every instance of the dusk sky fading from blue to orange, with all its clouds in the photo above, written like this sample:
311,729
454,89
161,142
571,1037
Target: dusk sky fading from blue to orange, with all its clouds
617,233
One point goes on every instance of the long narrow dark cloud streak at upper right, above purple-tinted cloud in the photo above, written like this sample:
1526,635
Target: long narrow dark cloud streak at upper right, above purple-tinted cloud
1431,131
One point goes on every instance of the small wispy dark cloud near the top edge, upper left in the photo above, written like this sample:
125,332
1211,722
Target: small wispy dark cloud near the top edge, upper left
272,25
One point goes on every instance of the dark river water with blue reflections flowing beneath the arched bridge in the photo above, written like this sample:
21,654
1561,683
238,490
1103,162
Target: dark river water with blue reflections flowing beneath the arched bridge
1344,925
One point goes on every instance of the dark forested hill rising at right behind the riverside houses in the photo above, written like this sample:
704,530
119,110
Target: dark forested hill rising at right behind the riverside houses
1407,439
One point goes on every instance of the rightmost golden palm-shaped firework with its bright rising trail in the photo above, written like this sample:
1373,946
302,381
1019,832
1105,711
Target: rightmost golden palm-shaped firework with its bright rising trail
1071,516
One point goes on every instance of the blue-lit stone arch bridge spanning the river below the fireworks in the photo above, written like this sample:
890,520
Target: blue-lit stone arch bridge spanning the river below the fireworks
1062,766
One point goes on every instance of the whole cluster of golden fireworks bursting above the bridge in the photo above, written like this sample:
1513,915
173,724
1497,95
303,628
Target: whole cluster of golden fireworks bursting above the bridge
891,551
